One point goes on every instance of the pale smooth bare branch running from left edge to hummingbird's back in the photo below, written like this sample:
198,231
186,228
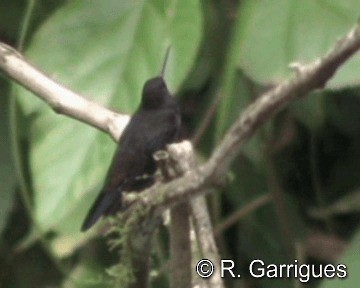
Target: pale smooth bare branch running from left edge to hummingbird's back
61,99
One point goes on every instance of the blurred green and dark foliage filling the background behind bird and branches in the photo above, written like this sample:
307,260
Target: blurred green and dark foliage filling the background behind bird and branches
224,54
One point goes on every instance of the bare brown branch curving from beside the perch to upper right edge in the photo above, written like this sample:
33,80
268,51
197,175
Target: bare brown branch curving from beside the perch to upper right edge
307,79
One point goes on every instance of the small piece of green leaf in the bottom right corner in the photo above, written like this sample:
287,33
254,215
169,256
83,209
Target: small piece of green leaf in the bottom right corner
351,260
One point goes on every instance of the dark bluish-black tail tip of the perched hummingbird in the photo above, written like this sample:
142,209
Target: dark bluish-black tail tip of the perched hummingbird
108,202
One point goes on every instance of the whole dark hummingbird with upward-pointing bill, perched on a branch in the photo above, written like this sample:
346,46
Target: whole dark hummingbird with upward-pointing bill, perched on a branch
155,124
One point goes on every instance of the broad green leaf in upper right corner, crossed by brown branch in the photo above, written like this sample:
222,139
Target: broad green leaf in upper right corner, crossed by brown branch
276,33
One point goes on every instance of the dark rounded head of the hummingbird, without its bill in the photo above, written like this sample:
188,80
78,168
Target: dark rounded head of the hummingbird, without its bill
155,93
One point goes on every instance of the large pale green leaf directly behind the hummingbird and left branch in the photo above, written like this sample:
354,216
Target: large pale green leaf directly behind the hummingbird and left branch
105,50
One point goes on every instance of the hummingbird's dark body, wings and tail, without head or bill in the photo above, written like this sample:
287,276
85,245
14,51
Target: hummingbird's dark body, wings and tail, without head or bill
145,134
